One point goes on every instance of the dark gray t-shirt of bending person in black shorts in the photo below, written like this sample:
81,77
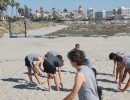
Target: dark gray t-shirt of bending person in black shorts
54,61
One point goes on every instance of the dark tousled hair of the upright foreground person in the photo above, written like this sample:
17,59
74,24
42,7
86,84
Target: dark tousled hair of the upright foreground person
77,56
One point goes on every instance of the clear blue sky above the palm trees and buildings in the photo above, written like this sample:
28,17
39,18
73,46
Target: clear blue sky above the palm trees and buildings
74,4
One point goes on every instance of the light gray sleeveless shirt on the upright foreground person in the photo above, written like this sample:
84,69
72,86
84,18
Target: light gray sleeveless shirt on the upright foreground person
88,90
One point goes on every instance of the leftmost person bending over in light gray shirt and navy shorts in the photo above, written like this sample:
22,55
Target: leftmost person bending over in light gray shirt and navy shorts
29,62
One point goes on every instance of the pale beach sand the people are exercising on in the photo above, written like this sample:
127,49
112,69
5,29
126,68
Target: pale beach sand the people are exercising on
13,72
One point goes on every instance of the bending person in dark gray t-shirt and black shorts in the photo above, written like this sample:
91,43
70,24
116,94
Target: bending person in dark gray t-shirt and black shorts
50,64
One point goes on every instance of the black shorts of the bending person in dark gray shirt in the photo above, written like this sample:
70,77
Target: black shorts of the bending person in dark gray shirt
48,68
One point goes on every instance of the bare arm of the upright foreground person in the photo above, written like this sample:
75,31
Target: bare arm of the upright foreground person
79,79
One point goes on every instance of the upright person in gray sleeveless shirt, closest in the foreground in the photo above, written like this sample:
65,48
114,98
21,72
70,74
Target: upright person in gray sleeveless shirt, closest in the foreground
85,82
